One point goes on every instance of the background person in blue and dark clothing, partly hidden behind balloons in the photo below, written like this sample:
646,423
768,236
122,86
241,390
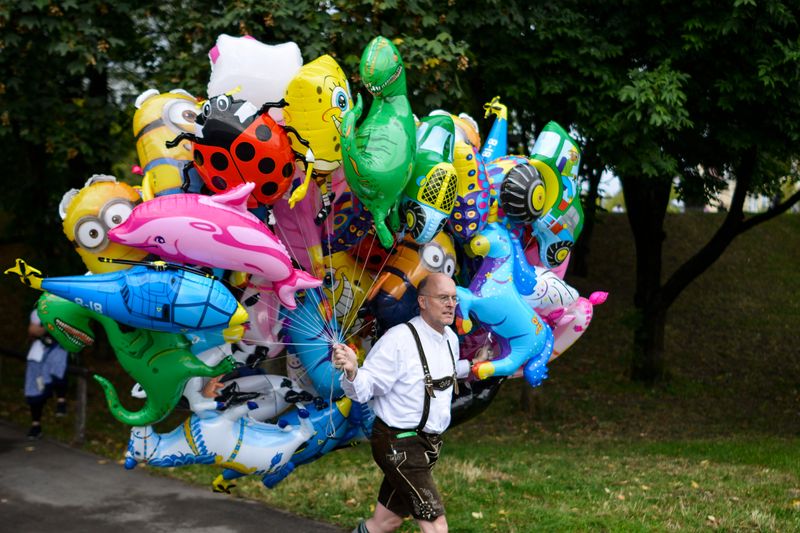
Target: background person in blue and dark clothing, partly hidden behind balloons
45,374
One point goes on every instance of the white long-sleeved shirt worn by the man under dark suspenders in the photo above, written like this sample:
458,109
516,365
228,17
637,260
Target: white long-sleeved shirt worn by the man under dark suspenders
392,374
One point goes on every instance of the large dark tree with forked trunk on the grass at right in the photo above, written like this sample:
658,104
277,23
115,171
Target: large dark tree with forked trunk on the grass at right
698,91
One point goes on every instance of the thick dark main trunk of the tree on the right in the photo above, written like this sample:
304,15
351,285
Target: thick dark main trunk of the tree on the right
646,201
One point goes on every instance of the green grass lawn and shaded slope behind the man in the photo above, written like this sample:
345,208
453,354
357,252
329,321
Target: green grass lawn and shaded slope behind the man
715,447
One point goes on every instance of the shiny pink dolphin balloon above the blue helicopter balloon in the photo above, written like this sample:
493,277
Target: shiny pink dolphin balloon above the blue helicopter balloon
214,231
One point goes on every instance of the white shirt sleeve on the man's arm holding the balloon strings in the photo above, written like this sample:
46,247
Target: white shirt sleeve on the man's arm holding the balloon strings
378,374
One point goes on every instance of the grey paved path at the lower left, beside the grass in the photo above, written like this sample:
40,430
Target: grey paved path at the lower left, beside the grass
46,486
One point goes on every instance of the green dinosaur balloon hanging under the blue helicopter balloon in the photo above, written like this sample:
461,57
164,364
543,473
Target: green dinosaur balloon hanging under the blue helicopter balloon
160,362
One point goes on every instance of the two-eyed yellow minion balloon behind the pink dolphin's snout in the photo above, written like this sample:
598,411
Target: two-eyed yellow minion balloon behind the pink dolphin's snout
88,214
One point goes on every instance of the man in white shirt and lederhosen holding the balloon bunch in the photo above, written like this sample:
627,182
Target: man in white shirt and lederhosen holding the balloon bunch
410,372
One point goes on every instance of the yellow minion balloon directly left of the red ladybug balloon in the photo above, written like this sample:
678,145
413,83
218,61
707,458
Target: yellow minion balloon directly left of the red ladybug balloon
159,118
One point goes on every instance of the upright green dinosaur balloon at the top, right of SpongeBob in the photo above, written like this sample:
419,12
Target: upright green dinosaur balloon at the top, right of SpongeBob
379,155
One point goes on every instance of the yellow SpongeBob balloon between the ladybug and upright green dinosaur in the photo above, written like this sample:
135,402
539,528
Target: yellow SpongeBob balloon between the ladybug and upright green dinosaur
317,97
